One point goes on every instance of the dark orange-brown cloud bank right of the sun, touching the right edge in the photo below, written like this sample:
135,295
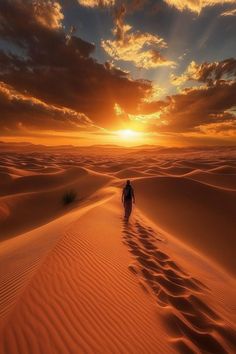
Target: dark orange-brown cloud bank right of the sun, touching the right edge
197,107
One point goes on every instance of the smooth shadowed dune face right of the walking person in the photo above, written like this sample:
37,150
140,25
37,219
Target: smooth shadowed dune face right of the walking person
199,214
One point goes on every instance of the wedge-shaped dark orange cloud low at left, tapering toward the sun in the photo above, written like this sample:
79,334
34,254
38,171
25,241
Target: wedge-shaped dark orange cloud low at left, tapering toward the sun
43,116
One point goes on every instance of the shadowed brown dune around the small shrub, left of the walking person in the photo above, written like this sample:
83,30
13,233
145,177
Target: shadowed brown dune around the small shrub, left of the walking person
24,209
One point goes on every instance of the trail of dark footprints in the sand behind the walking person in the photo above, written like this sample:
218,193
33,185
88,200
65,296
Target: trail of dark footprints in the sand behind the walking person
193,326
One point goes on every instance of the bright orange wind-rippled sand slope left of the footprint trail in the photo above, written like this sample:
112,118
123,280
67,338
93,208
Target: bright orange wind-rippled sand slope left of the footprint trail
82,297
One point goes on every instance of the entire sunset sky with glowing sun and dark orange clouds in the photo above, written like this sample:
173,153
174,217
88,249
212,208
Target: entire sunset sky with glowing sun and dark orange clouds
128,72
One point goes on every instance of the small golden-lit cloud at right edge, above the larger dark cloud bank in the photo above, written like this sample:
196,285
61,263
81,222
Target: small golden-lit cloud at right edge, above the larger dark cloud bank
208,73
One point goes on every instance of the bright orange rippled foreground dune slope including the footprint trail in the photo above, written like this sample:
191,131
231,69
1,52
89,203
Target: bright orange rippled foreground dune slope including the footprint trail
83,292
